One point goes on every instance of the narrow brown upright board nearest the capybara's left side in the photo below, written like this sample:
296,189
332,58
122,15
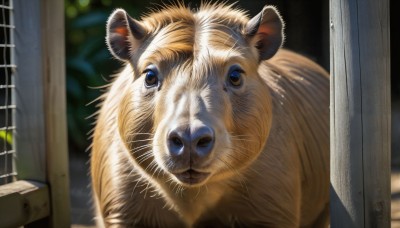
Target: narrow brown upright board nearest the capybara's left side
53,58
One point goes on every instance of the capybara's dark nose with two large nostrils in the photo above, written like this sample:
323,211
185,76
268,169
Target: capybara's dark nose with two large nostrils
196,141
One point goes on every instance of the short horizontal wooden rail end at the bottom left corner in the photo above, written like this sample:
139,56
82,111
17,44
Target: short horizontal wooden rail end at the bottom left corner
22,202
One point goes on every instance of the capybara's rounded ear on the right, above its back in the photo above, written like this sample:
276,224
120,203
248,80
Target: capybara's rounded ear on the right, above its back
265,32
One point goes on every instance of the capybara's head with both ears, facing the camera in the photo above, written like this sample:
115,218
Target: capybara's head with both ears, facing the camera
194,108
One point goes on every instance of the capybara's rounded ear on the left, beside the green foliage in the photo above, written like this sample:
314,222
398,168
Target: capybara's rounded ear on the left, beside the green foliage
124,34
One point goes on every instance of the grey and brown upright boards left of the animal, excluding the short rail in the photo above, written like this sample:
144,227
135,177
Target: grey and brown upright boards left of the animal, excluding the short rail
41,136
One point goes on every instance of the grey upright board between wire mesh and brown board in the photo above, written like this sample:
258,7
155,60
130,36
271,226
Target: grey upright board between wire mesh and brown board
29,118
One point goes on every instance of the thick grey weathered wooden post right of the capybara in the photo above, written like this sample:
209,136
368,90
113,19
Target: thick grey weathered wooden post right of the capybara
360,113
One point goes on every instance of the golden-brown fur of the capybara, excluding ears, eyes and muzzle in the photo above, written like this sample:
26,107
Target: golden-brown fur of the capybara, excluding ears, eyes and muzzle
276,171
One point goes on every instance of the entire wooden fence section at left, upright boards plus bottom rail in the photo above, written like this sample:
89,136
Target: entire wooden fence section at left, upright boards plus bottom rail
40,197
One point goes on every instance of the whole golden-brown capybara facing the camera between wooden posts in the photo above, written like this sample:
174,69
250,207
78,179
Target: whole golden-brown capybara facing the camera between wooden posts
210,124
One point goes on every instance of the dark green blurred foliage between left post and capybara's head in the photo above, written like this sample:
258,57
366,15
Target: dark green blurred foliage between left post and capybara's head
88,64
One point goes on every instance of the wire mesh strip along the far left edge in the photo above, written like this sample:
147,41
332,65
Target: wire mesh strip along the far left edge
7,153
